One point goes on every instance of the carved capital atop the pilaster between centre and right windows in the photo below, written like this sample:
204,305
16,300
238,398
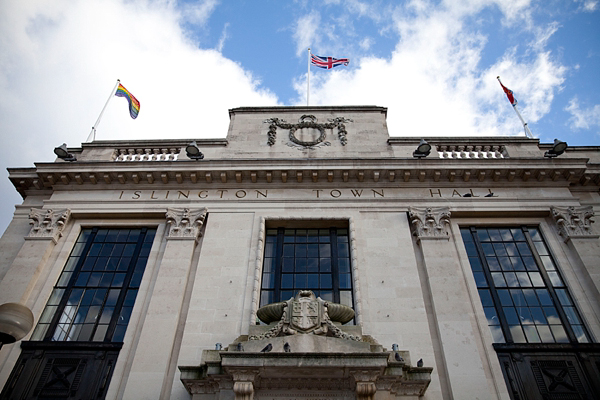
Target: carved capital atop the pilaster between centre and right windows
430,222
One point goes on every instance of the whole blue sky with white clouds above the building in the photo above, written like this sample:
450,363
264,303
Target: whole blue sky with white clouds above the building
432,63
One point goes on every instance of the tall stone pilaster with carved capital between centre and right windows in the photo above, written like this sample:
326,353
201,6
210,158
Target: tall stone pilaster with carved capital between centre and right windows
453,312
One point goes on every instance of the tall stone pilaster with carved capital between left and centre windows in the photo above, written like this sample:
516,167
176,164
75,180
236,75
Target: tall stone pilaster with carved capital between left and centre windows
151,371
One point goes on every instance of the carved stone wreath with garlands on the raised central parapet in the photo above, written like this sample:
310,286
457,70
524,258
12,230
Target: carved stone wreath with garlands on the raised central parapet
307,122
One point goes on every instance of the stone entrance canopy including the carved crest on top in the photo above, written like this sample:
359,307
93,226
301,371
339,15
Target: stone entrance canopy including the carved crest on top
302,354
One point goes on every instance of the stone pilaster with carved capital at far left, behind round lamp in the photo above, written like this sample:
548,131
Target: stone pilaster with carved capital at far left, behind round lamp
31,261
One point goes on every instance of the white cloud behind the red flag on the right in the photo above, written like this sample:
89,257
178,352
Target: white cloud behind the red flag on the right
433,82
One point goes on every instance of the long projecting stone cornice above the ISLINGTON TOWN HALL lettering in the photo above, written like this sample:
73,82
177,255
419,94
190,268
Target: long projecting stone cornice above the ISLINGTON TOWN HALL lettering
566,172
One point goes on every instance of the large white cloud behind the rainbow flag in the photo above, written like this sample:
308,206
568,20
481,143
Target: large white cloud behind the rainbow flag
61,58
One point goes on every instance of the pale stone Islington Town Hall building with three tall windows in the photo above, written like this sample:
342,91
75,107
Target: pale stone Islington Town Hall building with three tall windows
308,255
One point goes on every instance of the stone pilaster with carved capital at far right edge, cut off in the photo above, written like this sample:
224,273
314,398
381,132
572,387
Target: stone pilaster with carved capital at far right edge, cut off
574,226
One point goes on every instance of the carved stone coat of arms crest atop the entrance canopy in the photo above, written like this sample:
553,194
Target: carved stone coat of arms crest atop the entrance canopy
305,314
